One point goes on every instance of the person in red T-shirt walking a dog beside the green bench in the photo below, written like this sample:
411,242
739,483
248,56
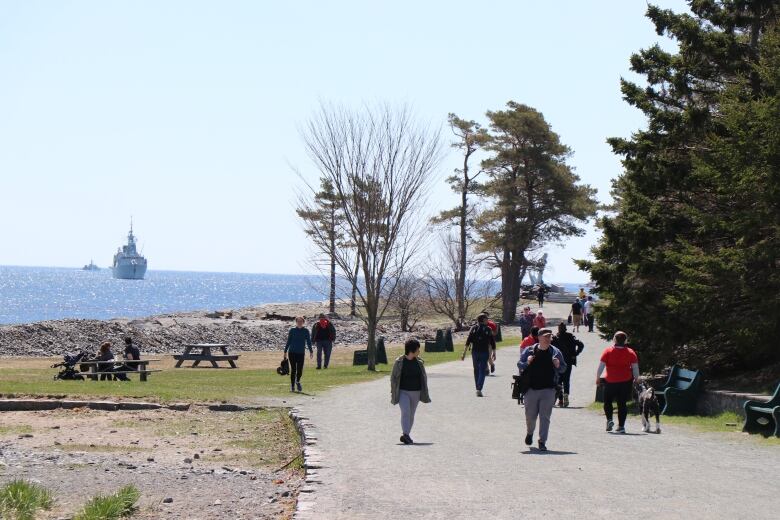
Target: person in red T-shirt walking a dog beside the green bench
622,368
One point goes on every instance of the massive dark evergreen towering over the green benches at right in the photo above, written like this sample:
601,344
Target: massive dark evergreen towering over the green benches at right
673,253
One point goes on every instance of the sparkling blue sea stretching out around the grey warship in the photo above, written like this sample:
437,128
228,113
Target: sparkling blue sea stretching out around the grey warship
29,294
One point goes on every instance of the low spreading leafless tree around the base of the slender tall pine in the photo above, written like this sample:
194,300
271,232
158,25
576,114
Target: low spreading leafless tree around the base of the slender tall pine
443,283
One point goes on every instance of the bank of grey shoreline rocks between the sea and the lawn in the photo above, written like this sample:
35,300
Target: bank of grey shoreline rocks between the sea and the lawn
245,329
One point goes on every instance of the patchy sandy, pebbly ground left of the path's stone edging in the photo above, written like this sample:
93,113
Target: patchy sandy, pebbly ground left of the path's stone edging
212,464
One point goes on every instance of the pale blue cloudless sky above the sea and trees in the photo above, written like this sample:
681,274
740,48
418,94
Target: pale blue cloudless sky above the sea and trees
186,115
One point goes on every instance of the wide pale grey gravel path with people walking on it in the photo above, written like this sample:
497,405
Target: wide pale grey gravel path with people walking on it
470,460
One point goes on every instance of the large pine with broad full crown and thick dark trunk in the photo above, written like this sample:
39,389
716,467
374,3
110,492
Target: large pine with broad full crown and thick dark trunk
535,196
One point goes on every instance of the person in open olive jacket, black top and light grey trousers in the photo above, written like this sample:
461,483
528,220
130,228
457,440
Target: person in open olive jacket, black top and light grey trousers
408,386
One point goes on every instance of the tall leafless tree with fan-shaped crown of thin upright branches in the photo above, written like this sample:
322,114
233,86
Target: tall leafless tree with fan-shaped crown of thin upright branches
380,161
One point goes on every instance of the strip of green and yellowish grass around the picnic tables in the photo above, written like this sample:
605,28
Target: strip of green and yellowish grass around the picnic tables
255,378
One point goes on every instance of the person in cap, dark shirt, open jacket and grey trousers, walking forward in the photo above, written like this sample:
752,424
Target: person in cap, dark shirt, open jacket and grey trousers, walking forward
545,364
